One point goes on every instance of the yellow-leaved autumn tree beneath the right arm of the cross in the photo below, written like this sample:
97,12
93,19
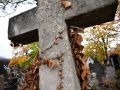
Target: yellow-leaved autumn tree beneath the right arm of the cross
99,38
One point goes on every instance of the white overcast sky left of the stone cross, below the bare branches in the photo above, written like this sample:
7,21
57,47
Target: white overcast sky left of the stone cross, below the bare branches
5,48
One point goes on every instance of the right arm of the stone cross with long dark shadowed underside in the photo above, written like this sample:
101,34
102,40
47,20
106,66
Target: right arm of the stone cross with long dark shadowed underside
90,12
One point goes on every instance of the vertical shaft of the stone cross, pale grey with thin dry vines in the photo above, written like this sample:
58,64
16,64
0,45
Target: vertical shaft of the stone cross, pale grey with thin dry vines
53,22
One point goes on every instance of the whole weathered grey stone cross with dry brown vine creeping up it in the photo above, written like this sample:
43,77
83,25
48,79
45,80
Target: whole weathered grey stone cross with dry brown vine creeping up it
46,21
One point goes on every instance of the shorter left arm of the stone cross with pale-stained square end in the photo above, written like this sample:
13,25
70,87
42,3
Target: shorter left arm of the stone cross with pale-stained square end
22,28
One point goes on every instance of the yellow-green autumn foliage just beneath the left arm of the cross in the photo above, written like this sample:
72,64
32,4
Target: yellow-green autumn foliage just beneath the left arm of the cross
24,55
